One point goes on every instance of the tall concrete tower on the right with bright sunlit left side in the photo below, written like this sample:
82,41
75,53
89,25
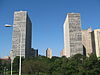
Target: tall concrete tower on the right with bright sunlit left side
72,35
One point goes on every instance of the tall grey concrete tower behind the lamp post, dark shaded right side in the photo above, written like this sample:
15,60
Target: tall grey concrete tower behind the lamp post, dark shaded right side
22,32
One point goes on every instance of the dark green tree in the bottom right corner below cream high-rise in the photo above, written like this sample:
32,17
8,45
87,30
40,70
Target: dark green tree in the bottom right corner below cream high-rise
91,65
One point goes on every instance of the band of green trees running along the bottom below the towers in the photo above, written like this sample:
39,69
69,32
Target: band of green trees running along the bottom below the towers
76,65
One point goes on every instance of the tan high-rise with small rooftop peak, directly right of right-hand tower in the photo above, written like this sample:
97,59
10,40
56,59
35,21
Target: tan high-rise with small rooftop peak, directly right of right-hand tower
87,41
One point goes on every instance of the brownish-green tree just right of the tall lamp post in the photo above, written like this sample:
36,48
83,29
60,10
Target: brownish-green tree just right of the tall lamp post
36,65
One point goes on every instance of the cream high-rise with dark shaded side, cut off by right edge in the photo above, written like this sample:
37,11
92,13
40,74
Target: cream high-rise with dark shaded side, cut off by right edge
96,42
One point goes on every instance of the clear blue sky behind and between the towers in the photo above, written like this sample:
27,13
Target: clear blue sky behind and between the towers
47,18
